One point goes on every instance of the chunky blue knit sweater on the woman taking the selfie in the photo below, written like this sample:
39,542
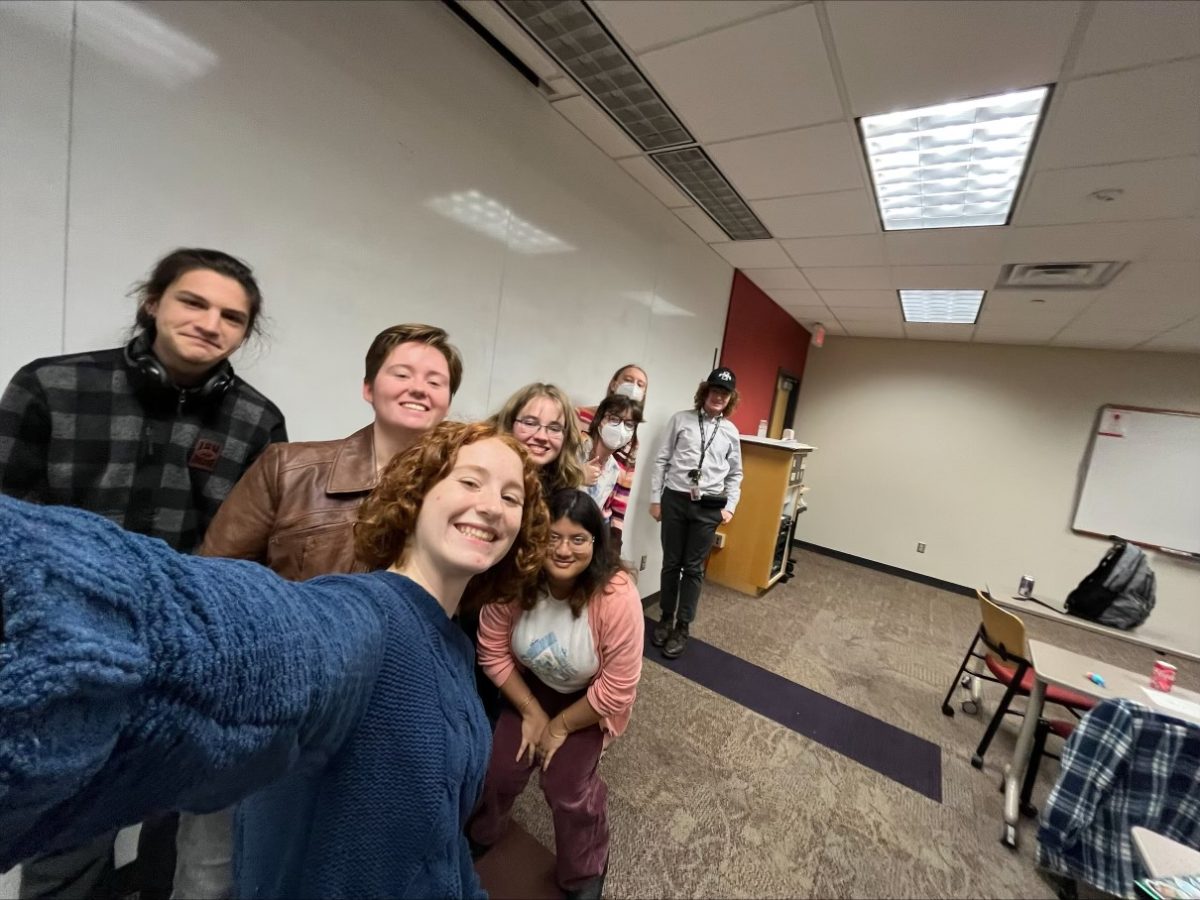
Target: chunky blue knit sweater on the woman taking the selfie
135,680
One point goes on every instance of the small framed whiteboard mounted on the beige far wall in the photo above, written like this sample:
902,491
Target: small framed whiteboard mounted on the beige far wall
1142,479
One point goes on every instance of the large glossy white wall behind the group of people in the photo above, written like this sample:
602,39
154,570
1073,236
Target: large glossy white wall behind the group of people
311,140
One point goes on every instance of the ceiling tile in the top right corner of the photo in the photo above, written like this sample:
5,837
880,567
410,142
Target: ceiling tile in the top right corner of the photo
1133,33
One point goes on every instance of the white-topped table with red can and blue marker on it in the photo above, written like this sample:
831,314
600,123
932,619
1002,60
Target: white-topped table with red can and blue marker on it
1054,665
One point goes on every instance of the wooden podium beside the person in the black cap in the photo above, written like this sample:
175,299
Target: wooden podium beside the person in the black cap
751,554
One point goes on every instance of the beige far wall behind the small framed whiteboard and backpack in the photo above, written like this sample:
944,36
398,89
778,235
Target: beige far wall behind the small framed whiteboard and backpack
977,452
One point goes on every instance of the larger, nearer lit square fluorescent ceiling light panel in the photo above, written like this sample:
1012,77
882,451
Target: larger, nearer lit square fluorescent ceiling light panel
953,165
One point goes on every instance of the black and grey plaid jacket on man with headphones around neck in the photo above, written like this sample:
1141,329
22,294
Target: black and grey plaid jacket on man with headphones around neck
75,433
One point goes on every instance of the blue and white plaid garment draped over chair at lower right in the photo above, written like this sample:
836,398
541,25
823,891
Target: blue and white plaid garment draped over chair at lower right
1124,766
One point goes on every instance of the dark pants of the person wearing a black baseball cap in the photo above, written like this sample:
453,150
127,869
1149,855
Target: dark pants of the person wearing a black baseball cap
688,533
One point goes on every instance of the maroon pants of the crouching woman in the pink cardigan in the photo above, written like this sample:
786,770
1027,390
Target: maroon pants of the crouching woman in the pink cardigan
578,796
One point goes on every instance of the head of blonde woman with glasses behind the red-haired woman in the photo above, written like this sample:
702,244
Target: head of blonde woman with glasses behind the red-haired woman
543,418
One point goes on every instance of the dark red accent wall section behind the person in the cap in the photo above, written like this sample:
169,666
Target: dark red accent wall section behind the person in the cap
760,339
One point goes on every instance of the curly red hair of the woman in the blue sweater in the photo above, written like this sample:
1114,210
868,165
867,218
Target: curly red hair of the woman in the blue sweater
389,514
